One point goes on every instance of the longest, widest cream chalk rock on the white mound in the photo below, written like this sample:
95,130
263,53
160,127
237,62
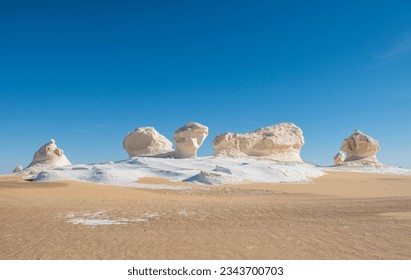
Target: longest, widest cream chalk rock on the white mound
280,142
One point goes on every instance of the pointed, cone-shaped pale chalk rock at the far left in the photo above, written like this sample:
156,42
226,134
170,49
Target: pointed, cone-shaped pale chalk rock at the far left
48,156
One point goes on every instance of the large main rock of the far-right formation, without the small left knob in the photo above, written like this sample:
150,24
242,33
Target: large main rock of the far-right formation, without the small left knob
359,146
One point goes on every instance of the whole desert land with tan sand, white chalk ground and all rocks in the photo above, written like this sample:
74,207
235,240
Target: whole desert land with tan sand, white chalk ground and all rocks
254,199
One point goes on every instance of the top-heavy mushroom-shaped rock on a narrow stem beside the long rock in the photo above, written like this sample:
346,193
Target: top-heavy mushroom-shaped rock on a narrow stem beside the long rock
188,139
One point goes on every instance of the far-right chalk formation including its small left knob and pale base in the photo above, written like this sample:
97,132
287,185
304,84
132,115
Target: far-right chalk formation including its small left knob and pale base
359,149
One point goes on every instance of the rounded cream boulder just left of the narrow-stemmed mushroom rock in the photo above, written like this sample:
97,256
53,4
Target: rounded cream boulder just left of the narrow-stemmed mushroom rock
146,141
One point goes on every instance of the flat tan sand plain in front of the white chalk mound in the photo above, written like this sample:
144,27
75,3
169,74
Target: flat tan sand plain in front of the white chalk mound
340,216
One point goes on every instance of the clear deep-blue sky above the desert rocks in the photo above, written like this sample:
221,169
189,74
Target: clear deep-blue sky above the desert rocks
87,72
